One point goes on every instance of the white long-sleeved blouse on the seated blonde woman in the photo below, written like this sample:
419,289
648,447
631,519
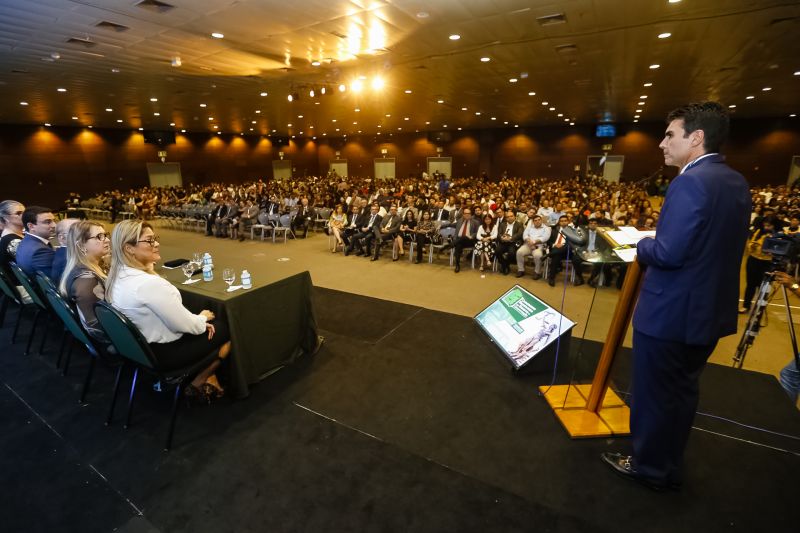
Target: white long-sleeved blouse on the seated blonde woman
154,305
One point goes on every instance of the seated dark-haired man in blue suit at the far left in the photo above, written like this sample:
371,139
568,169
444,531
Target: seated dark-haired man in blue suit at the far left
35,253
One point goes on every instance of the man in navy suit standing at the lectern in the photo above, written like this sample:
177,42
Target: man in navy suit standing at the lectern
689,295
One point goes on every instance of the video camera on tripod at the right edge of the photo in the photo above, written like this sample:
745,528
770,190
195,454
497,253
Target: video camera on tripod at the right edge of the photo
784,250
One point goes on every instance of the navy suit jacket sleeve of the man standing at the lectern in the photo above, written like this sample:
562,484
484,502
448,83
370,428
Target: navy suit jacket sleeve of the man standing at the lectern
679,223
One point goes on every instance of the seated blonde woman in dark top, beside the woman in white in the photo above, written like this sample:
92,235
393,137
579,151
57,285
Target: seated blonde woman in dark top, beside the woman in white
87,248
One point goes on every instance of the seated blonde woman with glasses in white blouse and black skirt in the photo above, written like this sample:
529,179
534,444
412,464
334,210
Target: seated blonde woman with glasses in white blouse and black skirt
177,337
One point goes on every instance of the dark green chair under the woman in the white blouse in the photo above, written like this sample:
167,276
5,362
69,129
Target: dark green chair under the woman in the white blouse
131,345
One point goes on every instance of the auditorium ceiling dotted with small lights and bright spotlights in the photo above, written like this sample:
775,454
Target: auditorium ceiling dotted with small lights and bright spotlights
590,67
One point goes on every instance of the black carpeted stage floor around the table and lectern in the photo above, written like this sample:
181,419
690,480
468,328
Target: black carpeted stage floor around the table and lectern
406,420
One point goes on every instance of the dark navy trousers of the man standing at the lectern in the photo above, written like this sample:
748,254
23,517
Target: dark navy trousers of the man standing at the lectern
665,394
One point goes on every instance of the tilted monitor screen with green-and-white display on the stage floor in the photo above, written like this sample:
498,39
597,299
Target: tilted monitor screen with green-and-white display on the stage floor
522,325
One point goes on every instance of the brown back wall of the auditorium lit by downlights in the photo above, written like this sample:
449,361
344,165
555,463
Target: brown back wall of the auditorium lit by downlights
43,165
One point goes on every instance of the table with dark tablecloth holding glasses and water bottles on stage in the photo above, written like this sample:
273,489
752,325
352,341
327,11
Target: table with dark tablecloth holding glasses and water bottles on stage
270,325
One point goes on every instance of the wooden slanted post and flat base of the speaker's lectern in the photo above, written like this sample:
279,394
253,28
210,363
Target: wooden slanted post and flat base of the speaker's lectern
592,410
